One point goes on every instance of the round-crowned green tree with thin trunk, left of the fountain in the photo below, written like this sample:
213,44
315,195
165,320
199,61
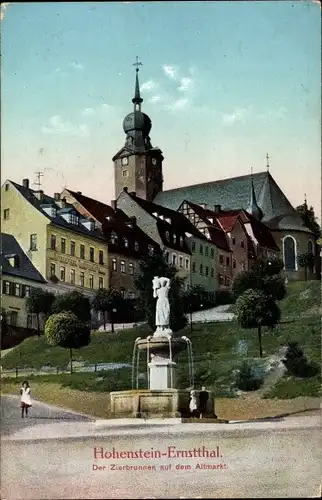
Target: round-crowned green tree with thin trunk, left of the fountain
64,329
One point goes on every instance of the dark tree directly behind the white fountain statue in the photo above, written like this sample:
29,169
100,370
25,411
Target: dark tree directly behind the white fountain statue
157,266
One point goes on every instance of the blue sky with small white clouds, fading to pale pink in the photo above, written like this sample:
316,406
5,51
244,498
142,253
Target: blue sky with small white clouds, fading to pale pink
224,83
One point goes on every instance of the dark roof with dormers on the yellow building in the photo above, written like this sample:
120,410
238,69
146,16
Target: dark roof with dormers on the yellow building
30,196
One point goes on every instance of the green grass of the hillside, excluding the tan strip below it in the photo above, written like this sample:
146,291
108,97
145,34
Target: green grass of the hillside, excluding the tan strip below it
214,347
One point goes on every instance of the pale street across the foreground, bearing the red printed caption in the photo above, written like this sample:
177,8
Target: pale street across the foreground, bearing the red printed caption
270,459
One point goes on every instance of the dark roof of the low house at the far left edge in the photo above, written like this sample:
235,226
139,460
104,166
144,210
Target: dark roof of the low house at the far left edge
10,248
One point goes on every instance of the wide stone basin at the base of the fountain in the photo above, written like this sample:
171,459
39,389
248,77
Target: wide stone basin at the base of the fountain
147,403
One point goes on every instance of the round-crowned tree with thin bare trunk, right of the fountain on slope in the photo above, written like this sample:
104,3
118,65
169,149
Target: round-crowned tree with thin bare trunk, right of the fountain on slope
254,310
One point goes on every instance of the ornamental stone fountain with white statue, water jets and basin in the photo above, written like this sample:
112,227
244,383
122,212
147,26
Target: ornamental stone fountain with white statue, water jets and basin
161,398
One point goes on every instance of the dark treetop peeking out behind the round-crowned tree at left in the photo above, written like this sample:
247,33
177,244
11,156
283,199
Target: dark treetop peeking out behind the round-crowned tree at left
74,302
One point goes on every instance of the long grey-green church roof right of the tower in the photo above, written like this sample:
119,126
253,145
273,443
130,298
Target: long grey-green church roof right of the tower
234,193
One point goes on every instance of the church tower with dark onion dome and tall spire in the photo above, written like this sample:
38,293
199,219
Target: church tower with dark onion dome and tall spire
138,165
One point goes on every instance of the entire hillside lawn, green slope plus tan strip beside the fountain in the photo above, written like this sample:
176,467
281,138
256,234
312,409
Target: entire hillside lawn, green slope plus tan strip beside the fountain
215,358
